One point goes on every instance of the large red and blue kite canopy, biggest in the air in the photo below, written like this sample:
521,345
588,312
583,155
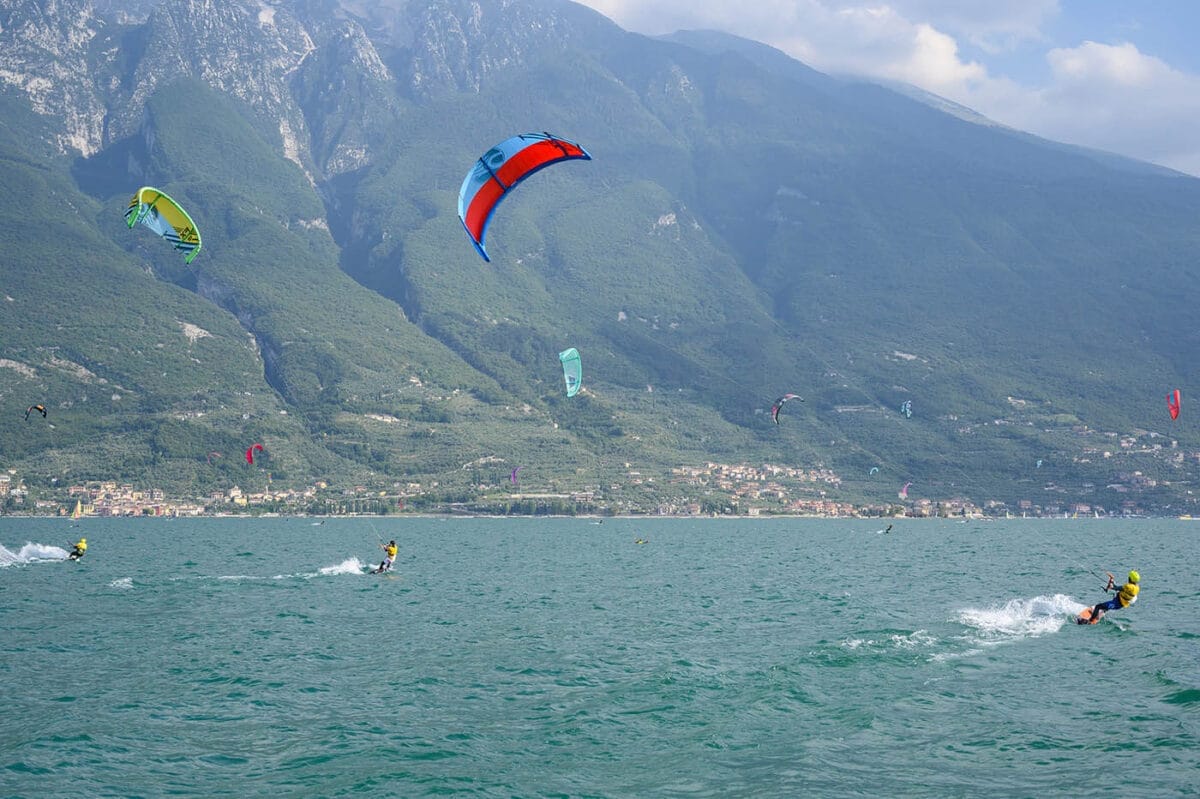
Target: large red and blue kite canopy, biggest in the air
499,172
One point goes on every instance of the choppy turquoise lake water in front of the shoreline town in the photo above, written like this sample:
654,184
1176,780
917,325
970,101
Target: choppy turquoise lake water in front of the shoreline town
556,658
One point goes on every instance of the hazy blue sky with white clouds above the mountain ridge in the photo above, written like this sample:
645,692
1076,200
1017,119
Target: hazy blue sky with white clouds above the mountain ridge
1117,75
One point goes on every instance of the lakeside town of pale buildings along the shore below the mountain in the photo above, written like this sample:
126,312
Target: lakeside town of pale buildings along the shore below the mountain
709,490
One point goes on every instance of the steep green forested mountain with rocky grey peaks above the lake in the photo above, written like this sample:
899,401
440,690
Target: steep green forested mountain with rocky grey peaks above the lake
748,227
